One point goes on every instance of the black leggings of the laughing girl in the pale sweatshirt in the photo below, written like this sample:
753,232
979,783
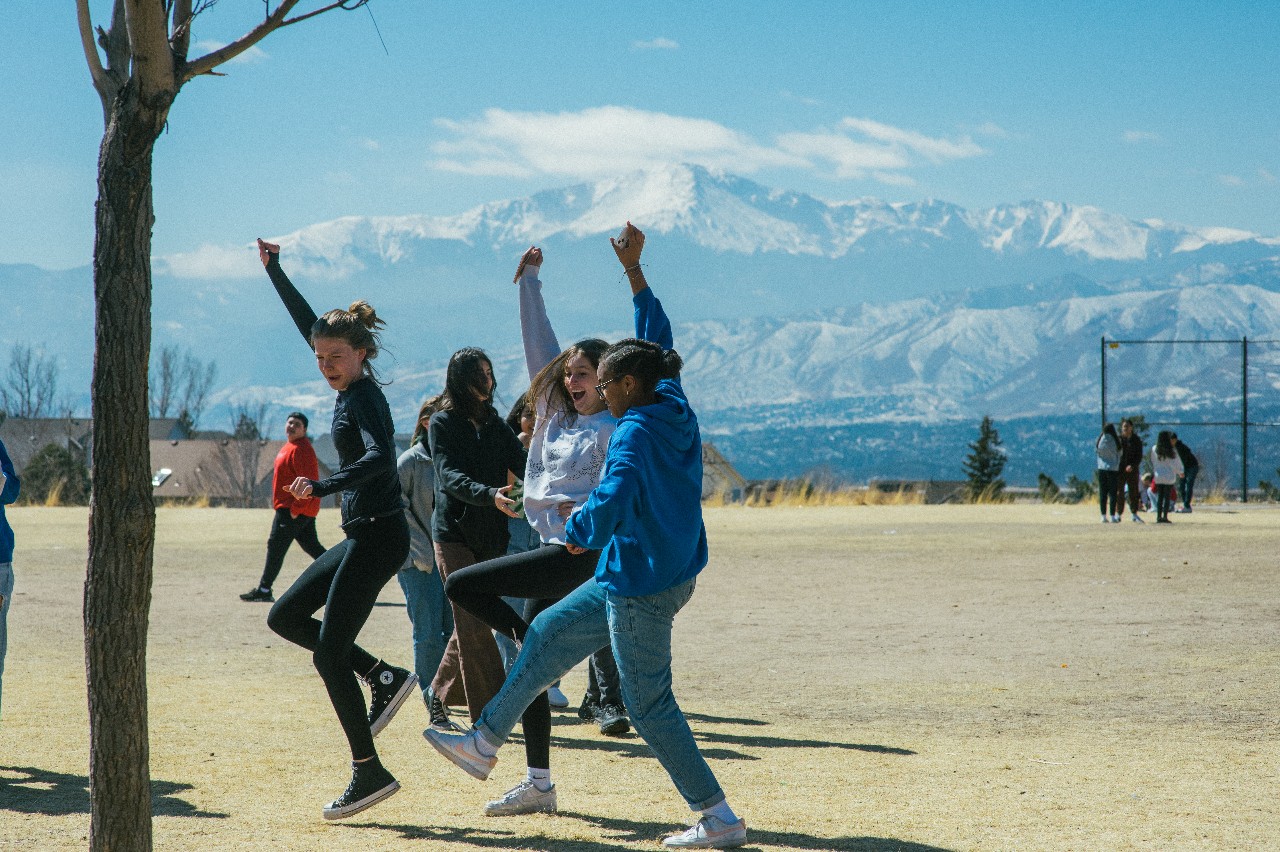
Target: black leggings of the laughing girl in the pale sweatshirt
543,575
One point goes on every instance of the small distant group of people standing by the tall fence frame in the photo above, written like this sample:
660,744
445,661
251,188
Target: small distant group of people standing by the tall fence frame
1121,459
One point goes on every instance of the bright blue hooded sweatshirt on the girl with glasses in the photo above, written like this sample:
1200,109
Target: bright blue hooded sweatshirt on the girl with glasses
647,514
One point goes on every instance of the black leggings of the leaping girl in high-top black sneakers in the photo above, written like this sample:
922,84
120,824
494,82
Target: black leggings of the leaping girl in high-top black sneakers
346,581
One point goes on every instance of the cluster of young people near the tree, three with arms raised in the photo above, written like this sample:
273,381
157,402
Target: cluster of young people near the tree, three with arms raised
611,485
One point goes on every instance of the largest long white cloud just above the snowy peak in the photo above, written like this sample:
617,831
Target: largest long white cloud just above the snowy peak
610,140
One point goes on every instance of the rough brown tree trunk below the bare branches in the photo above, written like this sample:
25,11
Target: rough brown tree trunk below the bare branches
122,516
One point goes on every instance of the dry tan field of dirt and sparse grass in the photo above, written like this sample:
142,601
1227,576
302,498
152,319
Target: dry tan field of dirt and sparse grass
1011,677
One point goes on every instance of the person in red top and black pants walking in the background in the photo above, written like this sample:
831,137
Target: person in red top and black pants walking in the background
295,520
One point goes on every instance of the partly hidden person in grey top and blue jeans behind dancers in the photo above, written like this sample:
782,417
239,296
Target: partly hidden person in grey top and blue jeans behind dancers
429,612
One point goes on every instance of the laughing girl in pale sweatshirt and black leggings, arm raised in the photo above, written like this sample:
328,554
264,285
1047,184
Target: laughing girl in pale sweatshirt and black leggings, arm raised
572,430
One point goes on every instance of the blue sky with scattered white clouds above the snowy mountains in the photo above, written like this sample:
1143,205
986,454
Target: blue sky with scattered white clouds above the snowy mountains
1153,111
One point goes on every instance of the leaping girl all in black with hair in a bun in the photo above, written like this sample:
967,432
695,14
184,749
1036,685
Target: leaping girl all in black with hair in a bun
348,579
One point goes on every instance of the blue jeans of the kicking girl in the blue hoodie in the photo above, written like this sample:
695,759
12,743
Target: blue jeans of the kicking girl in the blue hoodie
639,630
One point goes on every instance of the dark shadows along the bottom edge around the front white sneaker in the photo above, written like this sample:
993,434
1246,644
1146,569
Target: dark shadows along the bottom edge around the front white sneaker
623,835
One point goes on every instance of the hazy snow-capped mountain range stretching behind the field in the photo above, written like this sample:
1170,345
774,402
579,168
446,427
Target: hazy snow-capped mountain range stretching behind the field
796,315
